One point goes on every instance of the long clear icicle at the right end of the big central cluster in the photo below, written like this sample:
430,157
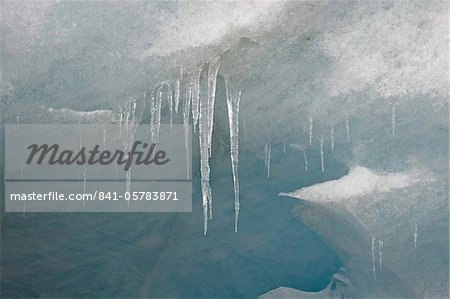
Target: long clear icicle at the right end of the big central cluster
233,120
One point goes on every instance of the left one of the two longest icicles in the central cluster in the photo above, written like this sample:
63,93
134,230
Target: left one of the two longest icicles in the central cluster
203,130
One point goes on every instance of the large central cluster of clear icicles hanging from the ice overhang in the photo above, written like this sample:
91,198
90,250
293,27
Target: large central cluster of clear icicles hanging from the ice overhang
197,101
